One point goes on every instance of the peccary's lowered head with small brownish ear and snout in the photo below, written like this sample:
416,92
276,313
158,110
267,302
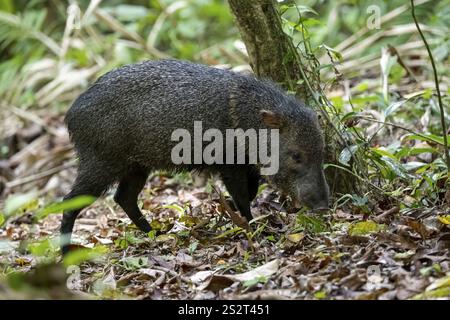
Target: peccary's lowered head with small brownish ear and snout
301,152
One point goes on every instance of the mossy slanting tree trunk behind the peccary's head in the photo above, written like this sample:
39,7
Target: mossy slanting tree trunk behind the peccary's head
273,55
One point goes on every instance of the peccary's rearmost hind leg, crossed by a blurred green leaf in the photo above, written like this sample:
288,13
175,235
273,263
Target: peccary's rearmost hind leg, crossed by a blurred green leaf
89,184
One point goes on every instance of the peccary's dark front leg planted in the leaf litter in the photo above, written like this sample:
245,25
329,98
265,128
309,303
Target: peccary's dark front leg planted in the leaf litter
236,182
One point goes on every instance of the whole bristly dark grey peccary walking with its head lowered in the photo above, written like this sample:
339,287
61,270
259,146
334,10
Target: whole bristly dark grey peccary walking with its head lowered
122,127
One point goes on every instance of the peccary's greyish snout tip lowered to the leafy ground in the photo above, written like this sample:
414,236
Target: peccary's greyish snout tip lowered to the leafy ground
313,190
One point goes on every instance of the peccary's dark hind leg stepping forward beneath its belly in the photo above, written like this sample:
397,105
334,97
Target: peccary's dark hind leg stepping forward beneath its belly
127,195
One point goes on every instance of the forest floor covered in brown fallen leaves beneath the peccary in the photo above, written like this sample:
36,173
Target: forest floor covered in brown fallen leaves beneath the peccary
198,252
